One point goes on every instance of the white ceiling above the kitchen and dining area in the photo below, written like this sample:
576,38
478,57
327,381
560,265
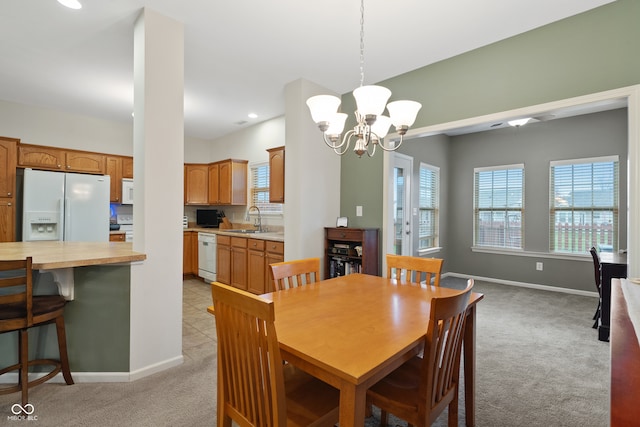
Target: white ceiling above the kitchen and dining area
240,54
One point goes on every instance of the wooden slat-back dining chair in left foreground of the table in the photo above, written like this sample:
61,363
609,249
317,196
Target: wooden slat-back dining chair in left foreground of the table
254,387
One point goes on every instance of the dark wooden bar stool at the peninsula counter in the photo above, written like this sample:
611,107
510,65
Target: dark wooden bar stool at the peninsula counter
20,310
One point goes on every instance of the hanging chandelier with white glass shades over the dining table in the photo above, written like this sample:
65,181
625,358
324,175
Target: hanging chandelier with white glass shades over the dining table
372,126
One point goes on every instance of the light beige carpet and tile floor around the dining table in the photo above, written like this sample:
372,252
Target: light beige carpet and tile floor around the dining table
539,363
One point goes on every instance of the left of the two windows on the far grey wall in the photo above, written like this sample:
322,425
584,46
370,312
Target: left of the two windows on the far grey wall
499,206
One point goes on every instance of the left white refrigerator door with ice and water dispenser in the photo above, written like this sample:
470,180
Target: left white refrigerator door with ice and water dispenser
43,201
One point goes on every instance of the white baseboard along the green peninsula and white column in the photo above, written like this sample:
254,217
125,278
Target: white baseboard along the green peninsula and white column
100,377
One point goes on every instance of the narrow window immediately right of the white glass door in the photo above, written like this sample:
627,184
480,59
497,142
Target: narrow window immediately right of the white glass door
429,202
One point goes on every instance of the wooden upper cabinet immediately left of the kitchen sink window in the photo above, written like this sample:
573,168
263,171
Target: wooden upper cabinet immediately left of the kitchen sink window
228,182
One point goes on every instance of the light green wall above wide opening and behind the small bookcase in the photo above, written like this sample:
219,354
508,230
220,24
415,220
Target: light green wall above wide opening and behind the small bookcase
587,53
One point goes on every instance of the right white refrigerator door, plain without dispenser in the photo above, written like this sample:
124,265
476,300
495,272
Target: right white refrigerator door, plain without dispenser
86,208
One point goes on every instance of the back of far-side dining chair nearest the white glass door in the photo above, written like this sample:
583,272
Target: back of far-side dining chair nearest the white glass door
413,269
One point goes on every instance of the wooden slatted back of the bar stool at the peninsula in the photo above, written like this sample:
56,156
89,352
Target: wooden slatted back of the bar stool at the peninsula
16,282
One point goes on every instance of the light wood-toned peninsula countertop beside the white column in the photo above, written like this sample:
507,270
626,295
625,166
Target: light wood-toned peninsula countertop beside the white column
52,255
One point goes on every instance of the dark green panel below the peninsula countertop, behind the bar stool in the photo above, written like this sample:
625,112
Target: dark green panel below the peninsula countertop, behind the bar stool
97,322
